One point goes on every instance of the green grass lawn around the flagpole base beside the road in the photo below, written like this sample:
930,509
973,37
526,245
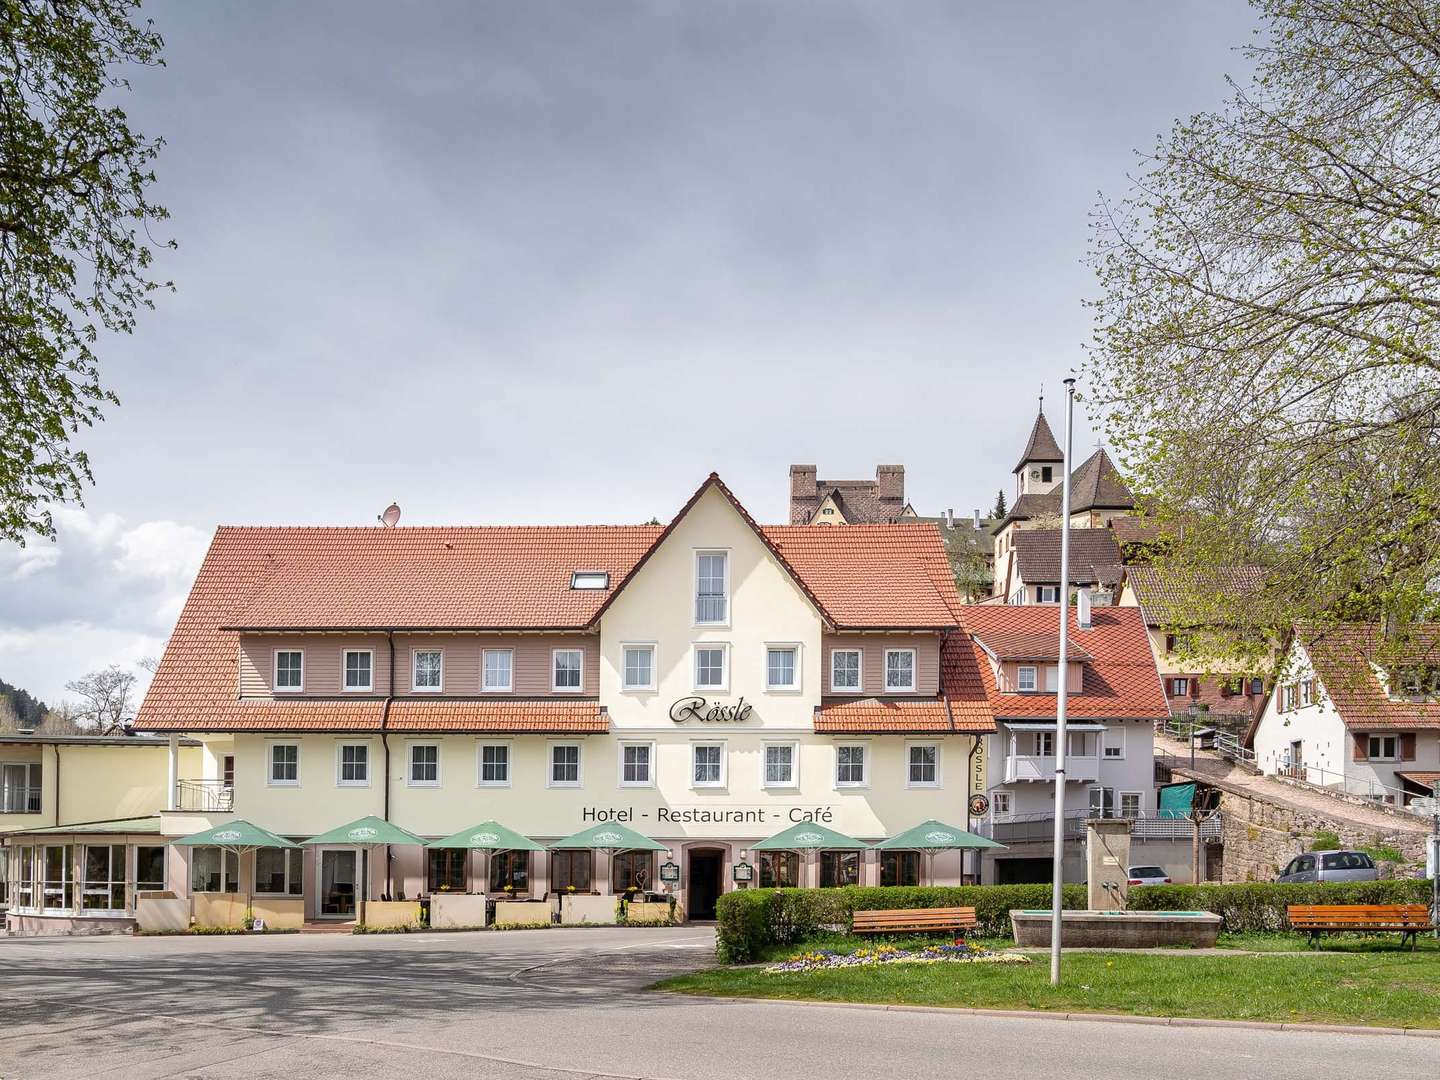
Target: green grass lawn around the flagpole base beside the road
1364,984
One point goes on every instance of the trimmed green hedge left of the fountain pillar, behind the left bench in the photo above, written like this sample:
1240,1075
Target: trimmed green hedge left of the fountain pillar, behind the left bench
754,919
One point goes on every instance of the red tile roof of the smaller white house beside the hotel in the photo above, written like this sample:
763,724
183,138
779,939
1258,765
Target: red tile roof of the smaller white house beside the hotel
1121,680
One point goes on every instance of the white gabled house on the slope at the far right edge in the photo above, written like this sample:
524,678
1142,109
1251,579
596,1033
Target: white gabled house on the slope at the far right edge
1356,712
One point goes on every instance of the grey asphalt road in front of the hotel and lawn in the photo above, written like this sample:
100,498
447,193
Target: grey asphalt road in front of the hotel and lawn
555,1006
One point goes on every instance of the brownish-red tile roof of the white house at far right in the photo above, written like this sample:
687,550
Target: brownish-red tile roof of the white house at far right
1343,657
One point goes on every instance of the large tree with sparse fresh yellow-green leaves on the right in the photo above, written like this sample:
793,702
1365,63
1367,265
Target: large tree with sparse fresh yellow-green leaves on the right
1266,330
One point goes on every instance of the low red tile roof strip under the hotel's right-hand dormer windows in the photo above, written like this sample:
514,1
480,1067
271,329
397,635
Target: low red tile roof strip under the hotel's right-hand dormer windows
961,709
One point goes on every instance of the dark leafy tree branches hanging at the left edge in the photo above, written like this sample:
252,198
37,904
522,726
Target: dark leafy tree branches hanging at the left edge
76,248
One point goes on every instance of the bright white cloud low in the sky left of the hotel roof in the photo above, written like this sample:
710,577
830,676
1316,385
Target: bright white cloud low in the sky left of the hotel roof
104,593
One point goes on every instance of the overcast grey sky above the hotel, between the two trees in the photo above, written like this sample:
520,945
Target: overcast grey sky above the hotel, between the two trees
558,261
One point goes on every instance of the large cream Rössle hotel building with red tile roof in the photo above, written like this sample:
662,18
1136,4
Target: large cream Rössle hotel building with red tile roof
708,685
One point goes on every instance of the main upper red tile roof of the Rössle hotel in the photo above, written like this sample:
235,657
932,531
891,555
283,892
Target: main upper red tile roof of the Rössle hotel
486,578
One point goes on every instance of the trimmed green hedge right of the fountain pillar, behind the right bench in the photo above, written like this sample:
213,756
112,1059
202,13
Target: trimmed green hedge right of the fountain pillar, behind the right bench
1259,906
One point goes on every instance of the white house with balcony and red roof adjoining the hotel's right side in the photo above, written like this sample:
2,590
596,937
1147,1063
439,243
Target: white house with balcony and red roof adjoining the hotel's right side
1114,701
